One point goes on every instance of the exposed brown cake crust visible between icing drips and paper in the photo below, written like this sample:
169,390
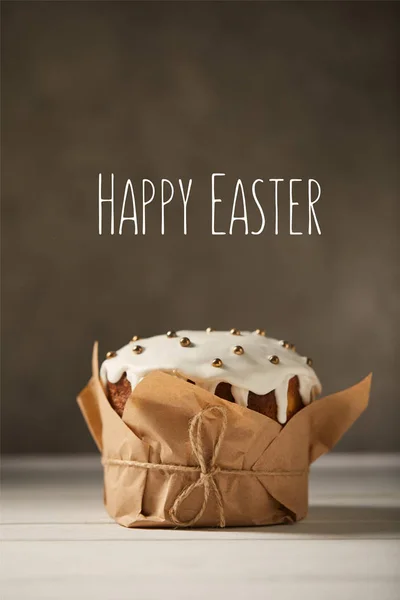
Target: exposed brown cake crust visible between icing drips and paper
118,394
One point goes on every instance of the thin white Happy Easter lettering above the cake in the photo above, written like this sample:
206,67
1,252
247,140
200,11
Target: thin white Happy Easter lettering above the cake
128,215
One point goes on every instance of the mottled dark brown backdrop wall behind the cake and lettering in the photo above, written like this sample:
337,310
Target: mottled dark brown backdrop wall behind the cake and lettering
183,90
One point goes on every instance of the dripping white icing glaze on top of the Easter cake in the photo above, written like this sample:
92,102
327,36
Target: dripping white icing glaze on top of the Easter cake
250,371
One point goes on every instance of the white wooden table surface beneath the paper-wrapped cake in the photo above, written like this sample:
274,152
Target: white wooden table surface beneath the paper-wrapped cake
58,542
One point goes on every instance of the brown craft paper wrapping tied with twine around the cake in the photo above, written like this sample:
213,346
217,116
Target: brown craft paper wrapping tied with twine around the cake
180,456
